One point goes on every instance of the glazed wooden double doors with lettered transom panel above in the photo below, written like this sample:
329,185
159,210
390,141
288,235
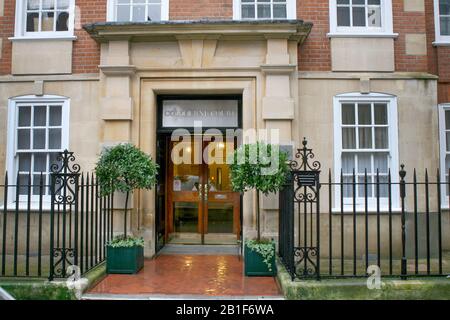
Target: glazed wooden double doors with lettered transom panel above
195,202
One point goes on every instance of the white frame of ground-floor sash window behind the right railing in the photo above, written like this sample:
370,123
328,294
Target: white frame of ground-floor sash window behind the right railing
393,163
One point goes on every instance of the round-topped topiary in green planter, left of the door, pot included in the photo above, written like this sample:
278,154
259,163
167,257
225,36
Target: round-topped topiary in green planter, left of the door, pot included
125,168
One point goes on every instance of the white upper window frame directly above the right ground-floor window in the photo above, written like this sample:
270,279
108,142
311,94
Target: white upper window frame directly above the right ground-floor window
386,29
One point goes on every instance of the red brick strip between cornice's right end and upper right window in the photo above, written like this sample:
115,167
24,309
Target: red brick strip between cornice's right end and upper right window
314,54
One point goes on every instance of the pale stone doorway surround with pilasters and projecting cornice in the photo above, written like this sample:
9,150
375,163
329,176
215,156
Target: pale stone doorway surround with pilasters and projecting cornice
257,59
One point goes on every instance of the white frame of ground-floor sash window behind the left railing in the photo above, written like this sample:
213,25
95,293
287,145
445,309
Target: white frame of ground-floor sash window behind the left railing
11,157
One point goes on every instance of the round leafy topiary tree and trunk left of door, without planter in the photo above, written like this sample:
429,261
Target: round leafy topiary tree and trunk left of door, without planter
125,168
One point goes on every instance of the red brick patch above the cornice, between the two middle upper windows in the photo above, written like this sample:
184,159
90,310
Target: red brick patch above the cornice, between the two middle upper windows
198,9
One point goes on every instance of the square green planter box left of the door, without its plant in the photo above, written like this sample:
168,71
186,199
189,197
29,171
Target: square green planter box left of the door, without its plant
124,260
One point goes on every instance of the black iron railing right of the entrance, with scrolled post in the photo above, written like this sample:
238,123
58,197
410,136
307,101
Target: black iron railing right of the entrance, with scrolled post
399,222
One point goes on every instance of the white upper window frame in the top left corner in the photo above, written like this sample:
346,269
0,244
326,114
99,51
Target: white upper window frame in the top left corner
21,21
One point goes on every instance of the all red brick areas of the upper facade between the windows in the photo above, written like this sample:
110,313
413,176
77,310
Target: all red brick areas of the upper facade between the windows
314,54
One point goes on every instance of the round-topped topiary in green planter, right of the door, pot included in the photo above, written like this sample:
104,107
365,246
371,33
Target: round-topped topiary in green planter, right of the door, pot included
261,167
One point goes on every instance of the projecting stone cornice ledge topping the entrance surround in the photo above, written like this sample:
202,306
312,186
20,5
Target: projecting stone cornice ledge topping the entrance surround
295,30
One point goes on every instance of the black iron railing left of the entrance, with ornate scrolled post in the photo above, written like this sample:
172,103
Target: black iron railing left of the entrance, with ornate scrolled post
45,228
